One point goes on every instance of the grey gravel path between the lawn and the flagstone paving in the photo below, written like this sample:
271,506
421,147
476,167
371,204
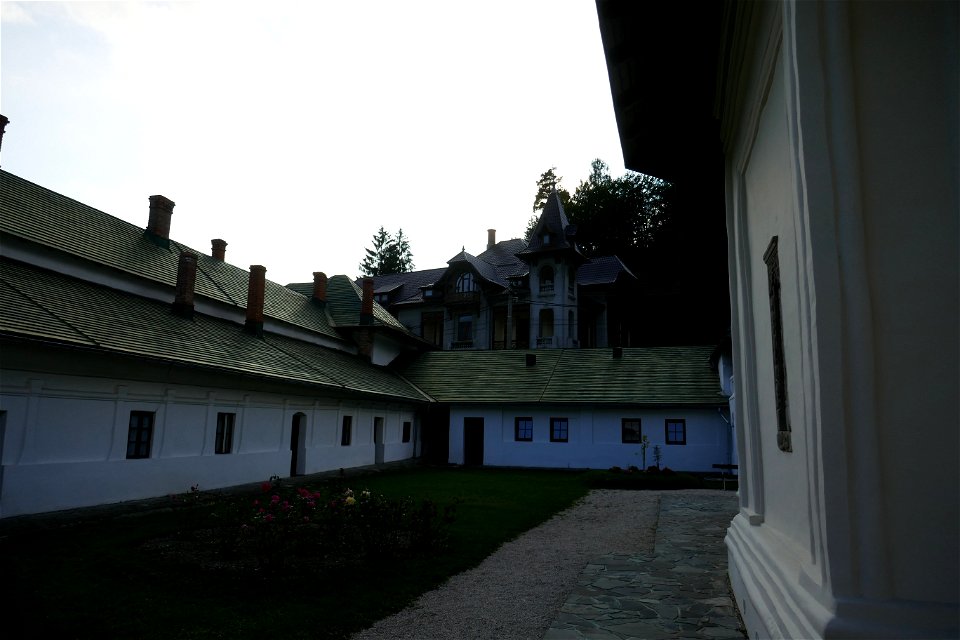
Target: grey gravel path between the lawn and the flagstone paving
516,592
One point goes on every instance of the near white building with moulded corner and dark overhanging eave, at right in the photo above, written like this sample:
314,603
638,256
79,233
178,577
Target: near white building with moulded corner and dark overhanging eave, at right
837,126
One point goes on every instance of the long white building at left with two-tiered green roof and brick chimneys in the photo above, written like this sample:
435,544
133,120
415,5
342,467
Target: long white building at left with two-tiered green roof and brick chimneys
134,367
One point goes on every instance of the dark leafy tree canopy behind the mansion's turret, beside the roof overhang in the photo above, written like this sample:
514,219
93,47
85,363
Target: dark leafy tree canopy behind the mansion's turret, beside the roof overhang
614,216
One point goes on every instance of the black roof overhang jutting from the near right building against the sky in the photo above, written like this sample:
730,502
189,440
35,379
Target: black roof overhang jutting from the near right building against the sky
662,60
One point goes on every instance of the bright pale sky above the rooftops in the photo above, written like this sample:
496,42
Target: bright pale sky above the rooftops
295,130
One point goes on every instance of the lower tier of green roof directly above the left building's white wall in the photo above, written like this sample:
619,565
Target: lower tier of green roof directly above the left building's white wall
49,306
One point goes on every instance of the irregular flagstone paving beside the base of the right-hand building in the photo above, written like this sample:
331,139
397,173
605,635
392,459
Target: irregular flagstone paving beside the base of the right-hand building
678,591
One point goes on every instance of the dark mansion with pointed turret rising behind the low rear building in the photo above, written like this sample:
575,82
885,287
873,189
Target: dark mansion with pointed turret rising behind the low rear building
544,294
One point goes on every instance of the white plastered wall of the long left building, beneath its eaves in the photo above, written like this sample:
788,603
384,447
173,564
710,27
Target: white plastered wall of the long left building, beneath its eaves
65,439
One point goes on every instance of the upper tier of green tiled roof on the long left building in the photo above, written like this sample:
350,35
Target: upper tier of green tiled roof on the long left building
45,217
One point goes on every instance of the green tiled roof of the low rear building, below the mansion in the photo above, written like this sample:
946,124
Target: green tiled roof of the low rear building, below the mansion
660,376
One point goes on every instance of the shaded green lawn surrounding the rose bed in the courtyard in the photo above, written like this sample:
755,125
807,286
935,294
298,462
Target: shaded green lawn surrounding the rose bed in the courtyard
101,577
